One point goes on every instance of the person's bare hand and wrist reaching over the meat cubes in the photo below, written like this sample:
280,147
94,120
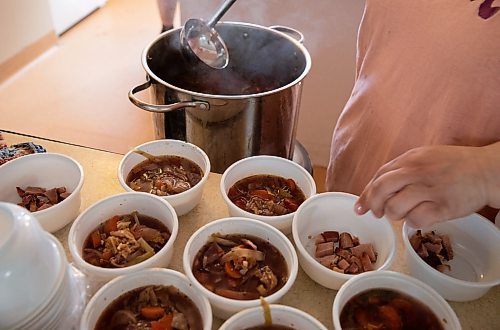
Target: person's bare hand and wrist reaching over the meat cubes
434,183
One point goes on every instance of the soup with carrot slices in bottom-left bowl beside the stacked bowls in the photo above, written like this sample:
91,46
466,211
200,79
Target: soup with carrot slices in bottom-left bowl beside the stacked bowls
151,307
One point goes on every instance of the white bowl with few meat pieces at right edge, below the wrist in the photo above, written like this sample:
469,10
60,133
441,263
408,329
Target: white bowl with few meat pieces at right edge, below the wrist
458,258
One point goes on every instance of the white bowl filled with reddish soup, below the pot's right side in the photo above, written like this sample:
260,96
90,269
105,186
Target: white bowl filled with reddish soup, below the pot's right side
266,188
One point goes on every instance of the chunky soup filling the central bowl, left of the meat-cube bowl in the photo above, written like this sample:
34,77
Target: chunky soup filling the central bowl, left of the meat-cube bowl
241,267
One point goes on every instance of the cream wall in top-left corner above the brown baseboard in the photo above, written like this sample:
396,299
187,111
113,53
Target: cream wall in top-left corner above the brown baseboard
22,22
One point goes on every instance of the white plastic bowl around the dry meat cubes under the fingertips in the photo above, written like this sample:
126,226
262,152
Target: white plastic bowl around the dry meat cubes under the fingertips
335,211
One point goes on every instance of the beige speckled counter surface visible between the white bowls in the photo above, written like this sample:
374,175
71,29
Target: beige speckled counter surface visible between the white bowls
101,180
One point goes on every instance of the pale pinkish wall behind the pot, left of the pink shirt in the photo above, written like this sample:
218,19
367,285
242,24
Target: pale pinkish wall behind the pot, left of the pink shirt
330,30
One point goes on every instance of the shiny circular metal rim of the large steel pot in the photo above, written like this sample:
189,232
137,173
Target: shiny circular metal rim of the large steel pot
299,46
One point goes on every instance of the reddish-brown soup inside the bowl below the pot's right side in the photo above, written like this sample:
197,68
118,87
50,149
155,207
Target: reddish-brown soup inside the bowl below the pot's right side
268,195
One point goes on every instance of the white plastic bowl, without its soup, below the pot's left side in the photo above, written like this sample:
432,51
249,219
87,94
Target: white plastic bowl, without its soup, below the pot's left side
185,201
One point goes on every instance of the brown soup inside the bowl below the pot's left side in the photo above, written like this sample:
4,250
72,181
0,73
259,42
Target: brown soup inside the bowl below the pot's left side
164,175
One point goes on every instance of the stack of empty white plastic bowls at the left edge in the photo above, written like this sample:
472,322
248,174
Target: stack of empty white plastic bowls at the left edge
32,266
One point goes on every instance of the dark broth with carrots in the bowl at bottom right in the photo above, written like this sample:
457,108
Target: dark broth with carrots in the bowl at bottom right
387,309
